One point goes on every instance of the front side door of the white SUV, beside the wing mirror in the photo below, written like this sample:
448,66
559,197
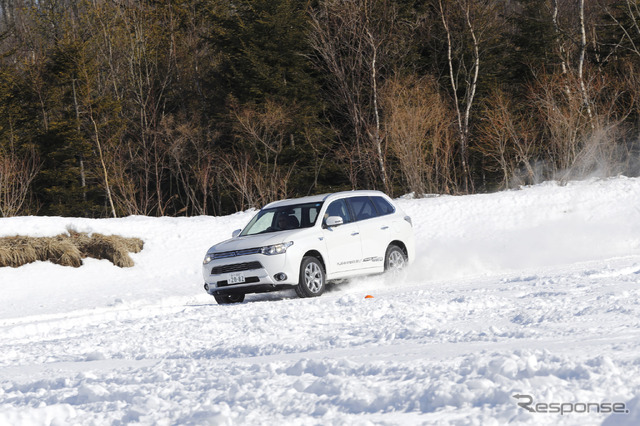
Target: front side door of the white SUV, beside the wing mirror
344,249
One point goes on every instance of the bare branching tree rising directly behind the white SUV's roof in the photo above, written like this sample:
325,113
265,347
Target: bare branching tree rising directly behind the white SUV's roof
354,41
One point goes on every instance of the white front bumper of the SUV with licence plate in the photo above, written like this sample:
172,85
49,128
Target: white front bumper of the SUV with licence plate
259,273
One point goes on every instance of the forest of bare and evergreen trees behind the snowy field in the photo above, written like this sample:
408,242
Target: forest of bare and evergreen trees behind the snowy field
190,107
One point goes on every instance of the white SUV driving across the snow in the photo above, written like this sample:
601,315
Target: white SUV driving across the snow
305,242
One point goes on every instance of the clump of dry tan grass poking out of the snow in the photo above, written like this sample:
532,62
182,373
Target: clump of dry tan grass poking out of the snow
68,249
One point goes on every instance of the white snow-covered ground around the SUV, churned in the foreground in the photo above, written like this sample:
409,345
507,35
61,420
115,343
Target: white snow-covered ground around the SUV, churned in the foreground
534,292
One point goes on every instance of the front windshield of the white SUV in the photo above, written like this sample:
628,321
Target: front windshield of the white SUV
283,218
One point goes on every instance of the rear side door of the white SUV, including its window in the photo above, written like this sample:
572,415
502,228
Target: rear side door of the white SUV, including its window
374,231
